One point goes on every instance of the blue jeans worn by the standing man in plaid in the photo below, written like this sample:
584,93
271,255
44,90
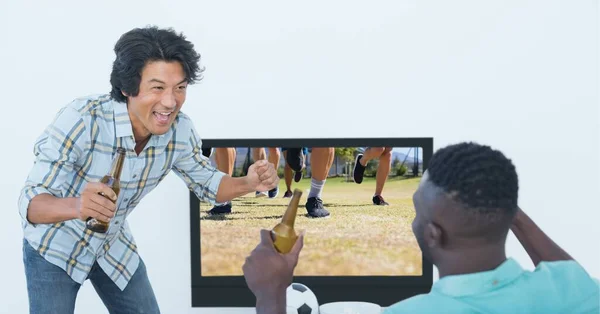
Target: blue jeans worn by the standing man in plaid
51,290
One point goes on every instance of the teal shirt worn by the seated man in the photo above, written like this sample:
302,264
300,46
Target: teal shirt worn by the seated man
553,287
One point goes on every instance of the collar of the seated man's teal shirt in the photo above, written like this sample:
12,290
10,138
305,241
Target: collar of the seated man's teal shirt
477,283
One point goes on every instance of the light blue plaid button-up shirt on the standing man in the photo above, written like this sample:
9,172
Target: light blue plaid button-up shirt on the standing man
78,147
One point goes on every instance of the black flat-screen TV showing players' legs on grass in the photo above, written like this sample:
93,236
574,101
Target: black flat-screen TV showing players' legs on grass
359,244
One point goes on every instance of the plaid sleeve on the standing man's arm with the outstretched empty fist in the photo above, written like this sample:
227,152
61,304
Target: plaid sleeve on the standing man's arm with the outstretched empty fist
196,170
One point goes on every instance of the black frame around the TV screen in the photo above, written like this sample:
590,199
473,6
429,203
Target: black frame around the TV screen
232,291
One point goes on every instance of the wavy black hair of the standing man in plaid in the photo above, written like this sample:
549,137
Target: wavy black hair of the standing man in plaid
141,45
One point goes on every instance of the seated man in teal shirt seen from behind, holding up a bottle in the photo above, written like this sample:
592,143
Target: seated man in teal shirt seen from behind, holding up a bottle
465,206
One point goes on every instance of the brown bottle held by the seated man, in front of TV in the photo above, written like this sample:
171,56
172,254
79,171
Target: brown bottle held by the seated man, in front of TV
283,234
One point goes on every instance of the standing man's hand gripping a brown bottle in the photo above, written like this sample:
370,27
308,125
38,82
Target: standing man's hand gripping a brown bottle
92,204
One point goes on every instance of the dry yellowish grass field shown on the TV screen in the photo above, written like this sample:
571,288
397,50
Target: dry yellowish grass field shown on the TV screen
358,238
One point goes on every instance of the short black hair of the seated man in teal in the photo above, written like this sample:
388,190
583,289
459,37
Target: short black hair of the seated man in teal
479,177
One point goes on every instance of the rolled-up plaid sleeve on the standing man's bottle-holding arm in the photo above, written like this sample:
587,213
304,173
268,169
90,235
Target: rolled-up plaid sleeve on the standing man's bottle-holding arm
56,152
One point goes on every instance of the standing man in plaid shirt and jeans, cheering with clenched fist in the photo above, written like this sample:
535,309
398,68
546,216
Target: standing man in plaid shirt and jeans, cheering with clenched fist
150,75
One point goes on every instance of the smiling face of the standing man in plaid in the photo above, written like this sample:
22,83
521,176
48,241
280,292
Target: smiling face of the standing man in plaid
161,94
